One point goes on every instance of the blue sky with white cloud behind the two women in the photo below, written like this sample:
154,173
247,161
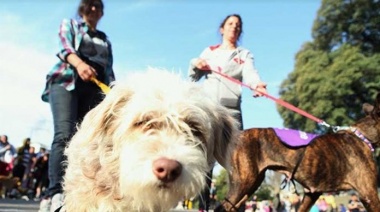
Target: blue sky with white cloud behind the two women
157,33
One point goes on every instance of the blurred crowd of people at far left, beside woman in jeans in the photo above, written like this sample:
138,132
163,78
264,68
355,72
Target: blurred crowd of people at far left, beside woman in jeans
25,168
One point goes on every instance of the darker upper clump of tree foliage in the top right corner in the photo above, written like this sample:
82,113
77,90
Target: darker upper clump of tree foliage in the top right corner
355,22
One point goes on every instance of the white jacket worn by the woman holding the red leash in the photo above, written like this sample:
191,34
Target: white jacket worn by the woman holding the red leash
237,63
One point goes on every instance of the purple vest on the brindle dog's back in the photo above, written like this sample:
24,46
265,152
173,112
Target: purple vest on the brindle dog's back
294,138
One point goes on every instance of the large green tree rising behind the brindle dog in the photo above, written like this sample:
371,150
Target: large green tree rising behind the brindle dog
339,70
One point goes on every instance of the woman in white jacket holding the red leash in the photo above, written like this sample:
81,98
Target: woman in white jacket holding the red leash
233,61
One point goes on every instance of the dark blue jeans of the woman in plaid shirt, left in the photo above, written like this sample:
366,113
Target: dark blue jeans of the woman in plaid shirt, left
68,109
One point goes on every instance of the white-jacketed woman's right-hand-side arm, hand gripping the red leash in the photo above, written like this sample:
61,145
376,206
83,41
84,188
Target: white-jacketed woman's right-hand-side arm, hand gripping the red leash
251,76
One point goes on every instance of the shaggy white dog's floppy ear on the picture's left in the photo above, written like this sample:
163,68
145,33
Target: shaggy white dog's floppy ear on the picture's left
94,134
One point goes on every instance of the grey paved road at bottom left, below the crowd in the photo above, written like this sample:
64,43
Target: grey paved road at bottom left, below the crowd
10,205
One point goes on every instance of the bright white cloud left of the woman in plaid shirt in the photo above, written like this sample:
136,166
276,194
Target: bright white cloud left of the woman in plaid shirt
22,78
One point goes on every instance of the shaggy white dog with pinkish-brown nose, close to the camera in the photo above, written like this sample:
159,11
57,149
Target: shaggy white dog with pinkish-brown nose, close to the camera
149,144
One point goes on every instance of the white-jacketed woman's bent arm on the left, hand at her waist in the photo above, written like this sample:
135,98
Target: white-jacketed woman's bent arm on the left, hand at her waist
198,66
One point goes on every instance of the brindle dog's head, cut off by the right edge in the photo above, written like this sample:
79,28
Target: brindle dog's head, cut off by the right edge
370,124
